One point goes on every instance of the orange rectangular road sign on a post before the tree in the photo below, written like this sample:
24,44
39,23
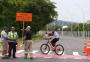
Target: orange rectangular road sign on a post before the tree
23,17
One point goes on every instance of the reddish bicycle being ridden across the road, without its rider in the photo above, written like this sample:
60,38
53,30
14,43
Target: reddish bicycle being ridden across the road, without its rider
46,47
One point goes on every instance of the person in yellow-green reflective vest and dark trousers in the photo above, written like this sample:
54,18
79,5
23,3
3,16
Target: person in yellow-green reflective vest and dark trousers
13,38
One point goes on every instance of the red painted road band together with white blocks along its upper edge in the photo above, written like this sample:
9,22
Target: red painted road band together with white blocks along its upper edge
75,55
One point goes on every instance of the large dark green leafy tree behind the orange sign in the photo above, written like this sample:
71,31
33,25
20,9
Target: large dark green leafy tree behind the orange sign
42,10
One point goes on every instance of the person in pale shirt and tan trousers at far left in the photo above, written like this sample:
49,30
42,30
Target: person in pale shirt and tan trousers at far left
4,36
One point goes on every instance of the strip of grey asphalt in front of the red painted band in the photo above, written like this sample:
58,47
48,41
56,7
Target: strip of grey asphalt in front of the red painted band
43,60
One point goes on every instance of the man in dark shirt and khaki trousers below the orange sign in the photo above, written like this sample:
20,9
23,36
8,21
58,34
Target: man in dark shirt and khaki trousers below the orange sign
28,42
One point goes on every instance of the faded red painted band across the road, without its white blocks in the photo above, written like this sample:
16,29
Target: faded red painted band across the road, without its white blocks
54,56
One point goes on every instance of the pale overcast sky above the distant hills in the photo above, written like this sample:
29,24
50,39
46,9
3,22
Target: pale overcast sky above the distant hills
73,10
